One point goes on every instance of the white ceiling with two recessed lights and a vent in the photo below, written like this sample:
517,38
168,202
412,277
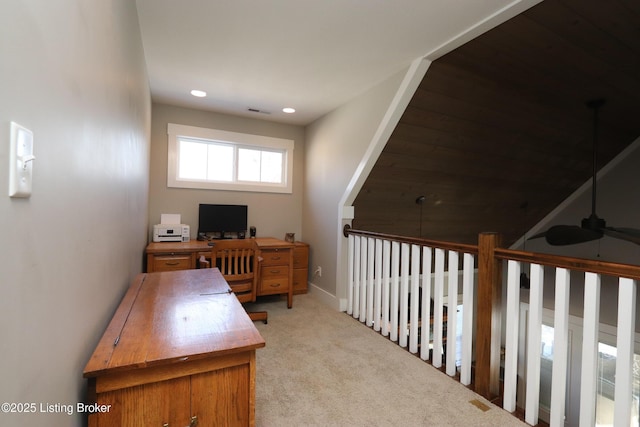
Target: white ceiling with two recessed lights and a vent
312,55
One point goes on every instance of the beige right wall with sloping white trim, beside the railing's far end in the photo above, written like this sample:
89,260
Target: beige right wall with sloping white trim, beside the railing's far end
343,146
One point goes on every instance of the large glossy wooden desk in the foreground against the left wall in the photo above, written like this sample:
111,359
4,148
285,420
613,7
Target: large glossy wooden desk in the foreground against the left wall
179,350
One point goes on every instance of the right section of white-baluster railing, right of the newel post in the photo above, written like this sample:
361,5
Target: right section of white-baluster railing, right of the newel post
590,340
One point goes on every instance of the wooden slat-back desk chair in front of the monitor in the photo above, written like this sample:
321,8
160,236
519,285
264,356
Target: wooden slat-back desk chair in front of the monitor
239,263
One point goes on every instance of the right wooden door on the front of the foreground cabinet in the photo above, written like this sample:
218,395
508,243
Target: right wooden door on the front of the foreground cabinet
223,397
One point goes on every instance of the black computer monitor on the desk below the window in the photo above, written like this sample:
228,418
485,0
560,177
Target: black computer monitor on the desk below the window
213,219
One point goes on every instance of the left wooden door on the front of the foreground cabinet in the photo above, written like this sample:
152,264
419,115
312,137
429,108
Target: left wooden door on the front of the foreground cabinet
154,404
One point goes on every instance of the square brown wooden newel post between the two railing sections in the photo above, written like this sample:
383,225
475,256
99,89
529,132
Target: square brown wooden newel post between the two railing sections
488,324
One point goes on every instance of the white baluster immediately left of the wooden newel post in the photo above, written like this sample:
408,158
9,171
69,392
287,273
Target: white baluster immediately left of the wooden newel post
467,319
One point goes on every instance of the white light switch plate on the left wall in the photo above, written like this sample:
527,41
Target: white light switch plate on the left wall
20,161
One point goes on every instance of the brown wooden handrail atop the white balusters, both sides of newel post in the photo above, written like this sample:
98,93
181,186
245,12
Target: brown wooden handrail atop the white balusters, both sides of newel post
571,263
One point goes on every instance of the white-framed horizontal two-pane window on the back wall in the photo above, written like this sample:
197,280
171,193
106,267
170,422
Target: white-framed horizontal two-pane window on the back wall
221,160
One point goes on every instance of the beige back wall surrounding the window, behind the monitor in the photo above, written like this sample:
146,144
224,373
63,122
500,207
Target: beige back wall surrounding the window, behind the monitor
272,214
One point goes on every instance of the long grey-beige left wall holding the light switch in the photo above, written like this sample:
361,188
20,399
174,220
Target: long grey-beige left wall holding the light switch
73,72
